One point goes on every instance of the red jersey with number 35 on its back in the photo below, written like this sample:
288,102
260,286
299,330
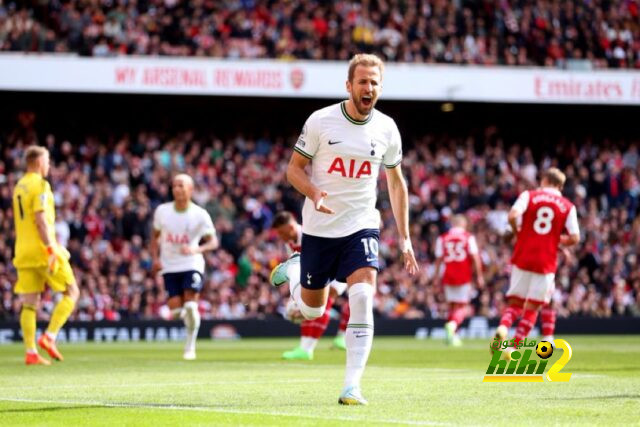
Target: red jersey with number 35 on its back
456,248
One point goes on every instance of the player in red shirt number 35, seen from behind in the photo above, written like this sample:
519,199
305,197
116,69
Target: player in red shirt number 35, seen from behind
457,250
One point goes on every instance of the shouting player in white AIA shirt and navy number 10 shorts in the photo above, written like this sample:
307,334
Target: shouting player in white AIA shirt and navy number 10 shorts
346,144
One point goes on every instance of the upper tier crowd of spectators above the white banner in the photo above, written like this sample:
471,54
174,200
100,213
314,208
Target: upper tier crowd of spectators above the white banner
489,32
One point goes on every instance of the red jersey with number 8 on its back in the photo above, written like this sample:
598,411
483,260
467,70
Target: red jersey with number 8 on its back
543,221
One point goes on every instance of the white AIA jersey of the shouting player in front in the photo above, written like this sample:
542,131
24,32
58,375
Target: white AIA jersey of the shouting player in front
346,157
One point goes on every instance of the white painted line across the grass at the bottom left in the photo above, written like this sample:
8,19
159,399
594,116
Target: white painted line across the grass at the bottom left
218,410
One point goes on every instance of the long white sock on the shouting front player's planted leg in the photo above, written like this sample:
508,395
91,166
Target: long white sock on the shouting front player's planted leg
359,334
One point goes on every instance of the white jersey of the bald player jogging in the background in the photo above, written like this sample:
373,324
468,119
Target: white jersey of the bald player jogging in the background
179,228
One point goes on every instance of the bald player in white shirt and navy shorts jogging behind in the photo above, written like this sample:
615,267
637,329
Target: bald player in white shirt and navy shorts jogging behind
178,229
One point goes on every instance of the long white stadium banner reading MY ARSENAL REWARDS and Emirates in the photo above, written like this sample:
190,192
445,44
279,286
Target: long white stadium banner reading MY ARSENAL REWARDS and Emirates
308,79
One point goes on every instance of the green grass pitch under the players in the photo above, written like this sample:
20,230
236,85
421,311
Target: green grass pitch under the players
407,382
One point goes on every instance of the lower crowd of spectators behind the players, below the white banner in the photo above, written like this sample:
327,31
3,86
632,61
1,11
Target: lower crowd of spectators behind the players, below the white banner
107,187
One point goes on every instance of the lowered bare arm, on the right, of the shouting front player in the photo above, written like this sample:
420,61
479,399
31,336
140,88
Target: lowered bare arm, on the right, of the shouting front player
399,197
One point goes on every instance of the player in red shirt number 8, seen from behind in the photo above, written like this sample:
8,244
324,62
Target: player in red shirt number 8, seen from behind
544,215
